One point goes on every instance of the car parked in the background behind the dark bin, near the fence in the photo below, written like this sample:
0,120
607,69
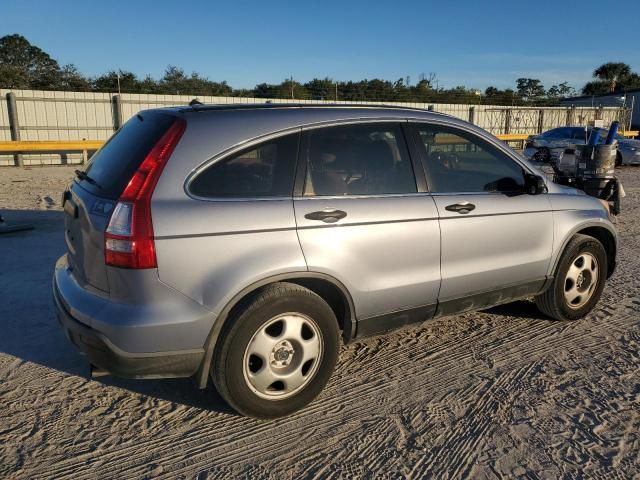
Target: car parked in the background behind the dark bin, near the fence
553,145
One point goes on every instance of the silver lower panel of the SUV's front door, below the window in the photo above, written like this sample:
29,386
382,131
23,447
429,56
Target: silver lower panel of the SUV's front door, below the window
503,227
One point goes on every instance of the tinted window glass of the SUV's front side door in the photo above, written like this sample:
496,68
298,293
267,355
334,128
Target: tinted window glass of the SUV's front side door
459,161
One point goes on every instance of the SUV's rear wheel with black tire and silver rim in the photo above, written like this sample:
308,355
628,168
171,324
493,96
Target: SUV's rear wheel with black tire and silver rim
269,337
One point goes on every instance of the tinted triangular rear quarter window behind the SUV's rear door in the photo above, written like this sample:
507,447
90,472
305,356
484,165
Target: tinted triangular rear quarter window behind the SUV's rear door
266,170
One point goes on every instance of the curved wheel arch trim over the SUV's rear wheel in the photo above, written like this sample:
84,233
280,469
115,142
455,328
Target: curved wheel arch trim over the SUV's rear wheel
330,289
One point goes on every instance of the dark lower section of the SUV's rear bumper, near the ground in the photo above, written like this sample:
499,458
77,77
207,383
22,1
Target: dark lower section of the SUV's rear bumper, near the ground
103,353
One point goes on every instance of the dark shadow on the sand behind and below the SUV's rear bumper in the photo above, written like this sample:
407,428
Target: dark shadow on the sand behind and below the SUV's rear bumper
30,330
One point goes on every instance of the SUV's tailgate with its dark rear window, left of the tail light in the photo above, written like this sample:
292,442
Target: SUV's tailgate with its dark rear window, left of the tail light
92,196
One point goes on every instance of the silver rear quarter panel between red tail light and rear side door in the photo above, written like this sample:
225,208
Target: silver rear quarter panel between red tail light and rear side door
229,245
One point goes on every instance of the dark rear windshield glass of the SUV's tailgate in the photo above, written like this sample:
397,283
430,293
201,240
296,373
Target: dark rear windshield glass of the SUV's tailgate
114,164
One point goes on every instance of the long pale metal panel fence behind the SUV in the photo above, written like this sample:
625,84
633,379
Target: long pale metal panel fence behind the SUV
48,115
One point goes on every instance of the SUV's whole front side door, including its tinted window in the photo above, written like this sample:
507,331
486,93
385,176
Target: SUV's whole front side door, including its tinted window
494,236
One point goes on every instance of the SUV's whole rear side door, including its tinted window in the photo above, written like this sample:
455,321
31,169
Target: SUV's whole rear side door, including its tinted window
364,220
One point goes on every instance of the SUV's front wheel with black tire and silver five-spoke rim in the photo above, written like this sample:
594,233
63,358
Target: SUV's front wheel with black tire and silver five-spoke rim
574,279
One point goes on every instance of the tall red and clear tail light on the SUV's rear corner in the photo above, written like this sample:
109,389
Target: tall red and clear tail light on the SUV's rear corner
128,240
